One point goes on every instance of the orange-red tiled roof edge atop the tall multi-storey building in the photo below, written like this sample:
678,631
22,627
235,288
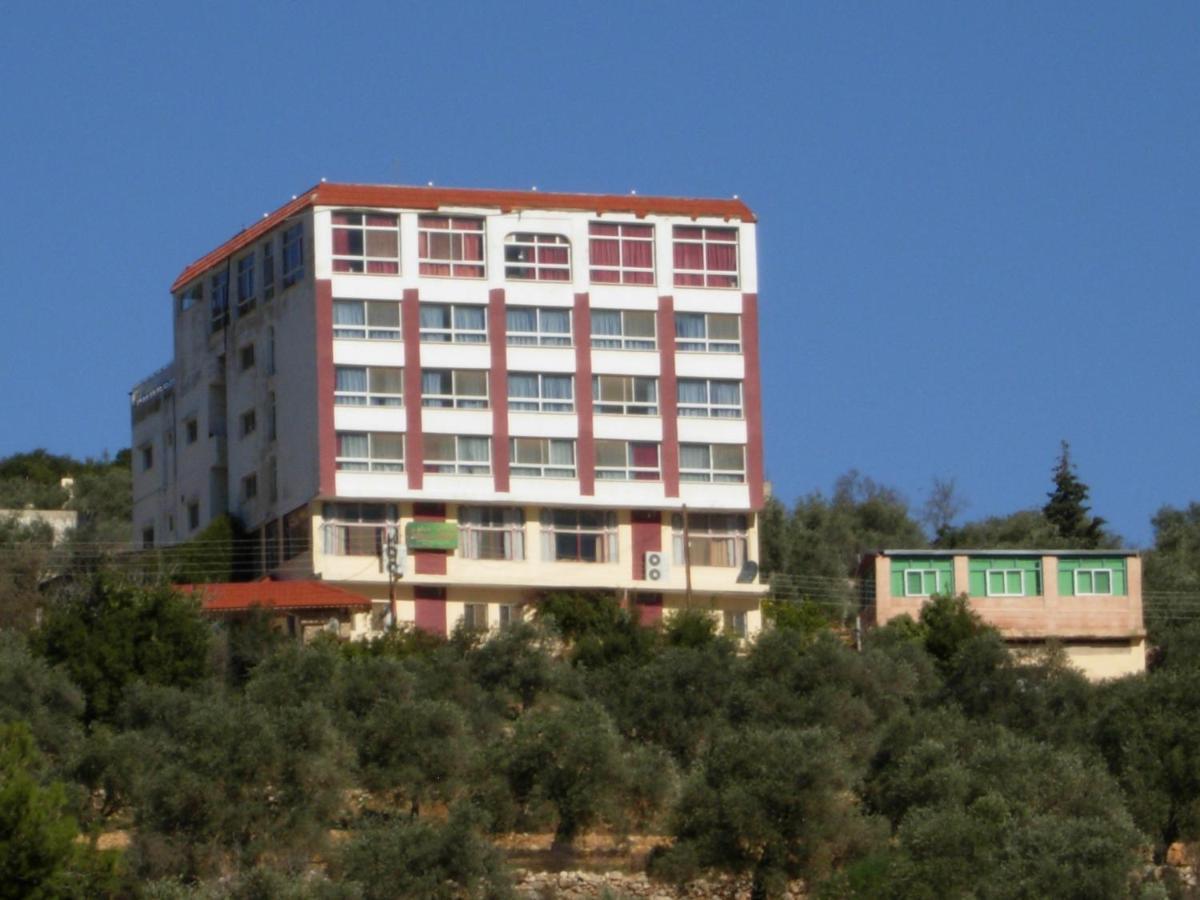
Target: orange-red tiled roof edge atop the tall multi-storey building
433,199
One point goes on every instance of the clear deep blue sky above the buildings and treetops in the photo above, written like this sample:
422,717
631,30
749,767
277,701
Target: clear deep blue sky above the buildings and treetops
980,223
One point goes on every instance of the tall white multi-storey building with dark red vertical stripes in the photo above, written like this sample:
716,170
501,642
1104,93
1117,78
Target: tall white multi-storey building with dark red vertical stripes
274,435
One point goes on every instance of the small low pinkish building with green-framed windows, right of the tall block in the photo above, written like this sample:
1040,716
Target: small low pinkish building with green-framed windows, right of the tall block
1089,602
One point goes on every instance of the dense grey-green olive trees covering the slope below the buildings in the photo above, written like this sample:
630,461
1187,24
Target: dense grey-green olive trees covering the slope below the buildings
929,764
